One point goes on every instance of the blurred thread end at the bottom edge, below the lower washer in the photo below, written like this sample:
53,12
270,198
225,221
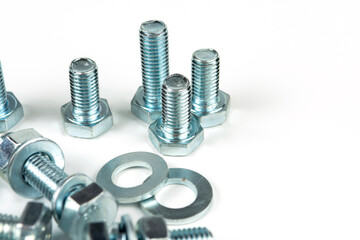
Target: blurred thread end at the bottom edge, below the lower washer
191,234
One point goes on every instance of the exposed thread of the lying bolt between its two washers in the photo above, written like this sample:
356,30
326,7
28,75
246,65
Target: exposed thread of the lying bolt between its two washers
43,175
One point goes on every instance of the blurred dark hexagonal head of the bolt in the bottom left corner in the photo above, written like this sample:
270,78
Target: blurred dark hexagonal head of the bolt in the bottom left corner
35,222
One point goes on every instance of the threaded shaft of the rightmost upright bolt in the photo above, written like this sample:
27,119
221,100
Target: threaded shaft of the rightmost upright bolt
205,79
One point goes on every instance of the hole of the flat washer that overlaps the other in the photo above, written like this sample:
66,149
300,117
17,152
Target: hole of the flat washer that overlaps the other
131,177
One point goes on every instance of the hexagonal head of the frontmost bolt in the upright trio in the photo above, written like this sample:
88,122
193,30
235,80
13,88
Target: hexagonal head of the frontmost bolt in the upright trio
176,146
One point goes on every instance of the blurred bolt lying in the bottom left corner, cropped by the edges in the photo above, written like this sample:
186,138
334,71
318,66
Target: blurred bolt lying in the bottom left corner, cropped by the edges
34,223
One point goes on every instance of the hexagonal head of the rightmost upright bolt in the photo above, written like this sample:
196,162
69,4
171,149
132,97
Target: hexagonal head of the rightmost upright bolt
217,115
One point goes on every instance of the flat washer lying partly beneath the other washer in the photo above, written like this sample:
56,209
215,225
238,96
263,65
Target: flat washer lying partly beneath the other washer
199,184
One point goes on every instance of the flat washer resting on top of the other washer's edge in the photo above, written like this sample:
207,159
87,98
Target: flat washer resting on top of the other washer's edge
144,191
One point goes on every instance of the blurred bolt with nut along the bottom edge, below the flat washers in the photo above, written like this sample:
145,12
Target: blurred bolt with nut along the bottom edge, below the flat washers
147,228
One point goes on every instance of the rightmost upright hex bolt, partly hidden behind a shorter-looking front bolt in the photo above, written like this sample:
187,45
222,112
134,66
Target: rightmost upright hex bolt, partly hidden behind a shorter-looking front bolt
209,104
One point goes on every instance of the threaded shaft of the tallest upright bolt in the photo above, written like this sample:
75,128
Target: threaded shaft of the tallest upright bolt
154,61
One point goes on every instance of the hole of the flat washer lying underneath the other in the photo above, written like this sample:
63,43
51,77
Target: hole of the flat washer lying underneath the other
176,196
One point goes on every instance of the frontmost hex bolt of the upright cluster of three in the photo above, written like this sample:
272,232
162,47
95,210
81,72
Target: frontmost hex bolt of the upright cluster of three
177,132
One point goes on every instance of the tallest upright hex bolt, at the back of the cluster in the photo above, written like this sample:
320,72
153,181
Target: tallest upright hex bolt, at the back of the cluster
146,103
